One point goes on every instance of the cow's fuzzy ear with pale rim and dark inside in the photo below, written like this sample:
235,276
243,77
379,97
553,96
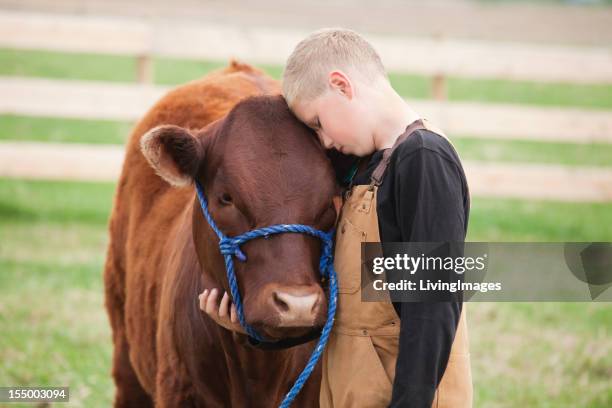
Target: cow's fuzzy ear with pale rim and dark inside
173,152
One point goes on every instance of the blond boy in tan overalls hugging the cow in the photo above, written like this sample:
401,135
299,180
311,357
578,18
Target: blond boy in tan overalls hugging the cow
410,187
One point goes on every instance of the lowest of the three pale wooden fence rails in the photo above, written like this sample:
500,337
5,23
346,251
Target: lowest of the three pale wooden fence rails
103,163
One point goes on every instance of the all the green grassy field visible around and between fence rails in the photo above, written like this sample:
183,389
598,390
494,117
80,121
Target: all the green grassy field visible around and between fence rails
53,237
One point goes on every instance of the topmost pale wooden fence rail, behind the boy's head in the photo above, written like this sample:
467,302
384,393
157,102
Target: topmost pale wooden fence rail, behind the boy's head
435,58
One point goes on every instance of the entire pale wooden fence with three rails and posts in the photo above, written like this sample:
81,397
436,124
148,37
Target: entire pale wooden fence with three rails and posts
434,58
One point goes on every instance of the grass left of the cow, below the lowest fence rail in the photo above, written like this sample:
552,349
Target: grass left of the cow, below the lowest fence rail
54,329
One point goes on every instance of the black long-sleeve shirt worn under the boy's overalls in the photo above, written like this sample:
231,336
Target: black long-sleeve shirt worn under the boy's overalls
423,198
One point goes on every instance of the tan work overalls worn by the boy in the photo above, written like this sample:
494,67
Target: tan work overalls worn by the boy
359,361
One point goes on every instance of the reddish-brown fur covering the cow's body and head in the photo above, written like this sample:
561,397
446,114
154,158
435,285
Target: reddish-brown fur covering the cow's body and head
162,253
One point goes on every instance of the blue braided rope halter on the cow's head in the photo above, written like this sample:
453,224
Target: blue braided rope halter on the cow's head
230,247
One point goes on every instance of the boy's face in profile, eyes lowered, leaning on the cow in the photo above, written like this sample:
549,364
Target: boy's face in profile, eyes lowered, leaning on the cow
339,117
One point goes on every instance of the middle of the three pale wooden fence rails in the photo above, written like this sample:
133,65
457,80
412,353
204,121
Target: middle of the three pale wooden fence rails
101,100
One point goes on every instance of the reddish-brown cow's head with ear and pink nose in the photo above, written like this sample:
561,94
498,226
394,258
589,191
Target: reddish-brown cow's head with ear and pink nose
259,166
